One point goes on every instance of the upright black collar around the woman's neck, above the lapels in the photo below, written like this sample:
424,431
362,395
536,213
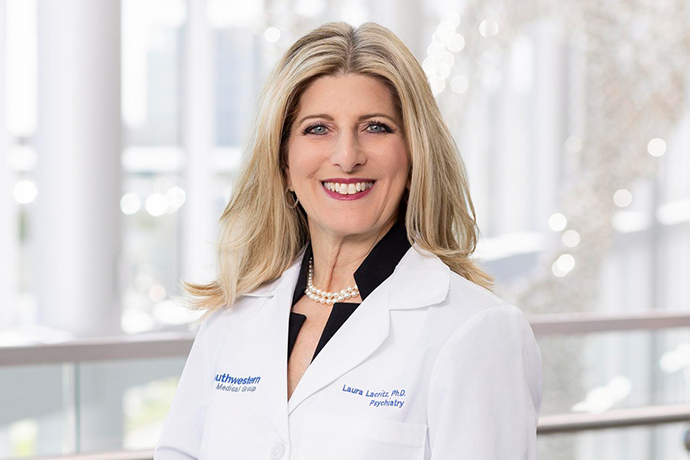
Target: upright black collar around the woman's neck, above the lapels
374,269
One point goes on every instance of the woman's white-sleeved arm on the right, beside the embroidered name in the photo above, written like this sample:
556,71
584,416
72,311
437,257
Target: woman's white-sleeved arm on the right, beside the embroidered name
485,390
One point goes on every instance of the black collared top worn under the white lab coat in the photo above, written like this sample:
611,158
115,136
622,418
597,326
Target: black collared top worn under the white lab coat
373,271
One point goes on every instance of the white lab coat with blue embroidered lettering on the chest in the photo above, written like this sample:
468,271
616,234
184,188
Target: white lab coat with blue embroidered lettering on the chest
429,366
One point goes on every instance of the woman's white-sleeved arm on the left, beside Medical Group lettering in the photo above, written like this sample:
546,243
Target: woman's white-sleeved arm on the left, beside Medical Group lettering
183,428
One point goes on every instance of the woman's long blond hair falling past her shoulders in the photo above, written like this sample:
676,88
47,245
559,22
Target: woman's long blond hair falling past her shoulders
260,234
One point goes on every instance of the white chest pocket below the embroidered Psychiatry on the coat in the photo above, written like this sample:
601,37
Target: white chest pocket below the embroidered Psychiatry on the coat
339,437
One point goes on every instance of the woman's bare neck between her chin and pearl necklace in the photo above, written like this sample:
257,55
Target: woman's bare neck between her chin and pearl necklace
337,257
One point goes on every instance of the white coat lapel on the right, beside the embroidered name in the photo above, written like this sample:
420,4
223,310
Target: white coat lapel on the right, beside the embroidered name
419,280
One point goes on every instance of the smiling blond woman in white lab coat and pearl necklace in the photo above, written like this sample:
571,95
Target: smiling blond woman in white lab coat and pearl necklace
348,320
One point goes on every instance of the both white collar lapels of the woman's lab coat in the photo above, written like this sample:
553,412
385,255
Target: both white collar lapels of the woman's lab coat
420,279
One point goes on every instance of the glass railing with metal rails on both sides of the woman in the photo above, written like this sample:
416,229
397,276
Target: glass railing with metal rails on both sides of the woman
615,387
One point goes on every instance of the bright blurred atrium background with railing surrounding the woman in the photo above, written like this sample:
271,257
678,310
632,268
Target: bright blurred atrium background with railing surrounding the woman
122,127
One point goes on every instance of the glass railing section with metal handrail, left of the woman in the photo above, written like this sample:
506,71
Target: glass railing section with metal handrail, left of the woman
88,396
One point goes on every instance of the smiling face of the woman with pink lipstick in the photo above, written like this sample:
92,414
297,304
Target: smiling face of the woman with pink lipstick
347,159
